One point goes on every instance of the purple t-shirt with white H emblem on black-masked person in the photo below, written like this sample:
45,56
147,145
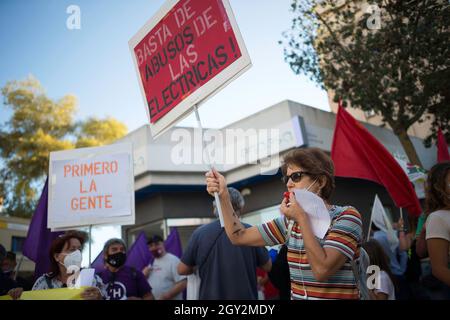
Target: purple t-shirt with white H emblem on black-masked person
125,283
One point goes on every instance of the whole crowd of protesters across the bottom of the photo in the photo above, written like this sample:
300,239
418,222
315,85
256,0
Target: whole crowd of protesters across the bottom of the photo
233,263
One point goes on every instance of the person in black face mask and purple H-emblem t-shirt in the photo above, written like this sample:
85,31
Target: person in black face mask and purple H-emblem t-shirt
122,282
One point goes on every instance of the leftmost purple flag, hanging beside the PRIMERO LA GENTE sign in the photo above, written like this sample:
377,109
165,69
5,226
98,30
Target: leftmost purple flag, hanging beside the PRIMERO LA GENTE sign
39,238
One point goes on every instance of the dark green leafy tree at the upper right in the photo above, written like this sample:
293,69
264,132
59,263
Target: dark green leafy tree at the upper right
399,68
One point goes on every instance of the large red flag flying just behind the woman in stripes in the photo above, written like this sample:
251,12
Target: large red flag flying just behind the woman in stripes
357,154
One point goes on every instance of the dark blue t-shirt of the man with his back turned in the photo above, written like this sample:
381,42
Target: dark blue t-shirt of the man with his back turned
229,272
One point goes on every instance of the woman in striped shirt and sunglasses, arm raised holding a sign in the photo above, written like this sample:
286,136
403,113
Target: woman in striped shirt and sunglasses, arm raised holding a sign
319,268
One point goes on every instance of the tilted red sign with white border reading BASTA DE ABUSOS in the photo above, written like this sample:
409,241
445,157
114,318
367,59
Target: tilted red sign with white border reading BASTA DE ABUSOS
184,54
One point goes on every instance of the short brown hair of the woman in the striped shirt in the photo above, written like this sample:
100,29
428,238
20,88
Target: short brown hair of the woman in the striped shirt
317,163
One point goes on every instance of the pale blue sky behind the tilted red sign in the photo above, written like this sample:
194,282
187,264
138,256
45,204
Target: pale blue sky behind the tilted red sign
95,64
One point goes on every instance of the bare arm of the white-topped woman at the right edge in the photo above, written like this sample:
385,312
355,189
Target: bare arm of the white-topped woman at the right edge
438,251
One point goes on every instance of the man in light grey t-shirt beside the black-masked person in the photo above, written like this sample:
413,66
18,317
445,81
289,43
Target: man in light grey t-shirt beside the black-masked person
162,274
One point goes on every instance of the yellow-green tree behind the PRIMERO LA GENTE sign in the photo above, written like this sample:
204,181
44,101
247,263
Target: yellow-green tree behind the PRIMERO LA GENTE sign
37,126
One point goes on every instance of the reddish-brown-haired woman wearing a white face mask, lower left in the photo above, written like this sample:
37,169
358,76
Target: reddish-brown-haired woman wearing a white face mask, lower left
66,258
